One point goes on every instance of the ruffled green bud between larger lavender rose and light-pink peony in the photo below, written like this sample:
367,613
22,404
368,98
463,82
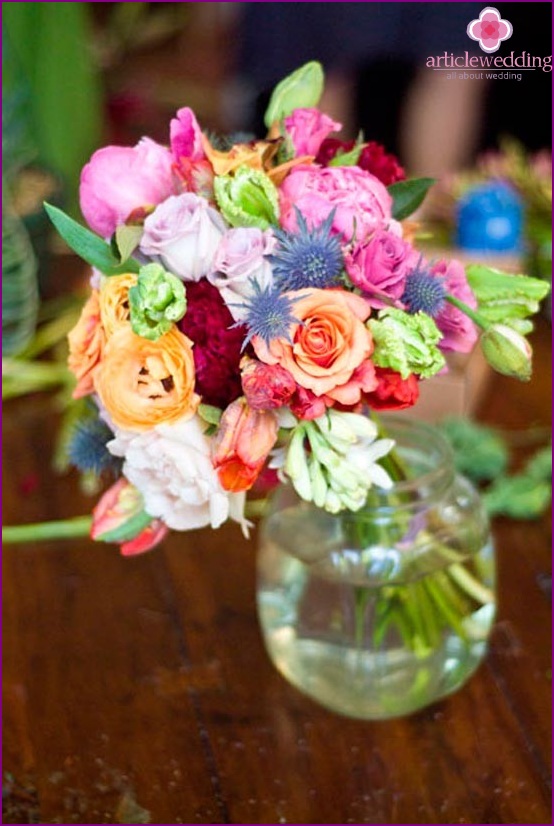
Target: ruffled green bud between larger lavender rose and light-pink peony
248,198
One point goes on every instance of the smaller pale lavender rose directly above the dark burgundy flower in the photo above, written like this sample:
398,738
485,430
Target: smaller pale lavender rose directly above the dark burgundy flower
239,260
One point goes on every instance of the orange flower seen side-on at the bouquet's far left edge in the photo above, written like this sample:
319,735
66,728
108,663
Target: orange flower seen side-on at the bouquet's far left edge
86,341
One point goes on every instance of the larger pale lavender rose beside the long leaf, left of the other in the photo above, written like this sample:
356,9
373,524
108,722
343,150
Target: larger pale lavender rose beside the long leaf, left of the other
185,233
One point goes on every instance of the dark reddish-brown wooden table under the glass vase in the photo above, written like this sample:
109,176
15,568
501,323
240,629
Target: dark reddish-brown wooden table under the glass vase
138,690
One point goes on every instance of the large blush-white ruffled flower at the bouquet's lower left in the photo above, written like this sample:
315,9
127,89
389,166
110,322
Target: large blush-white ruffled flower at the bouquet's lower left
171,466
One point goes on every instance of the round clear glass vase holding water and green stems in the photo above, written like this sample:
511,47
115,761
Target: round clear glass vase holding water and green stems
378,613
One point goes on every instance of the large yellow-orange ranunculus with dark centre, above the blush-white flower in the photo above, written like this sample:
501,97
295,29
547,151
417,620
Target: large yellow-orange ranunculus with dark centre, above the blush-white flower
143,383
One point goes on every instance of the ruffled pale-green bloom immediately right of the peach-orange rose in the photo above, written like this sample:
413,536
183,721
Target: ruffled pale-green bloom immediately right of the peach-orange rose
406,343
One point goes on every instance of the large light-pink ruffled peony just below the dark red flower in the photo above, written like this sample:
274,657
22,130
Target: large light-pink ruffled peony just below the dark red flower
361,202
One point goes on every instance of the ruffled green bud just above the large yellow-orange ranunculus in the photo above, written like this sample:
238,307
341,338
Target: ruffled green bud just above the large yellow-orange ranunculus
156,302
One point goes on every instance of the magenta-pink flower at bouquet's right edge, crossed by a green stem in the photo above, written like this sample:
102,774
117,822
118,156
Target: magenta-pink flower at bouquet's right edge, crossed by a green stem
458,330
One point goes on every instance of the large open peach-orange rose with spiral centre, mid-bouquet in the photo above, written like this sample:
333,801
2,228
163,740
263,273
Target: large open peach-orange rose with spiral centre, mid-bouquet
327,346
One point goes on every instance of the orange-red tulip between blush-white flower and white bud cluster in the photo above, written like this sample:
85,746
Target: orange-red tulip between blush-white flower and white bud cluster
242,443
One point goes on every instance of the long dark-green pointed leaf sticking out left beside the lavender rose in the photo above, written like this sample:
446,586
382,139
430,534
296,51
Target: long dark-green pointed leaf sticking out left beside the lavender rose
92,249
